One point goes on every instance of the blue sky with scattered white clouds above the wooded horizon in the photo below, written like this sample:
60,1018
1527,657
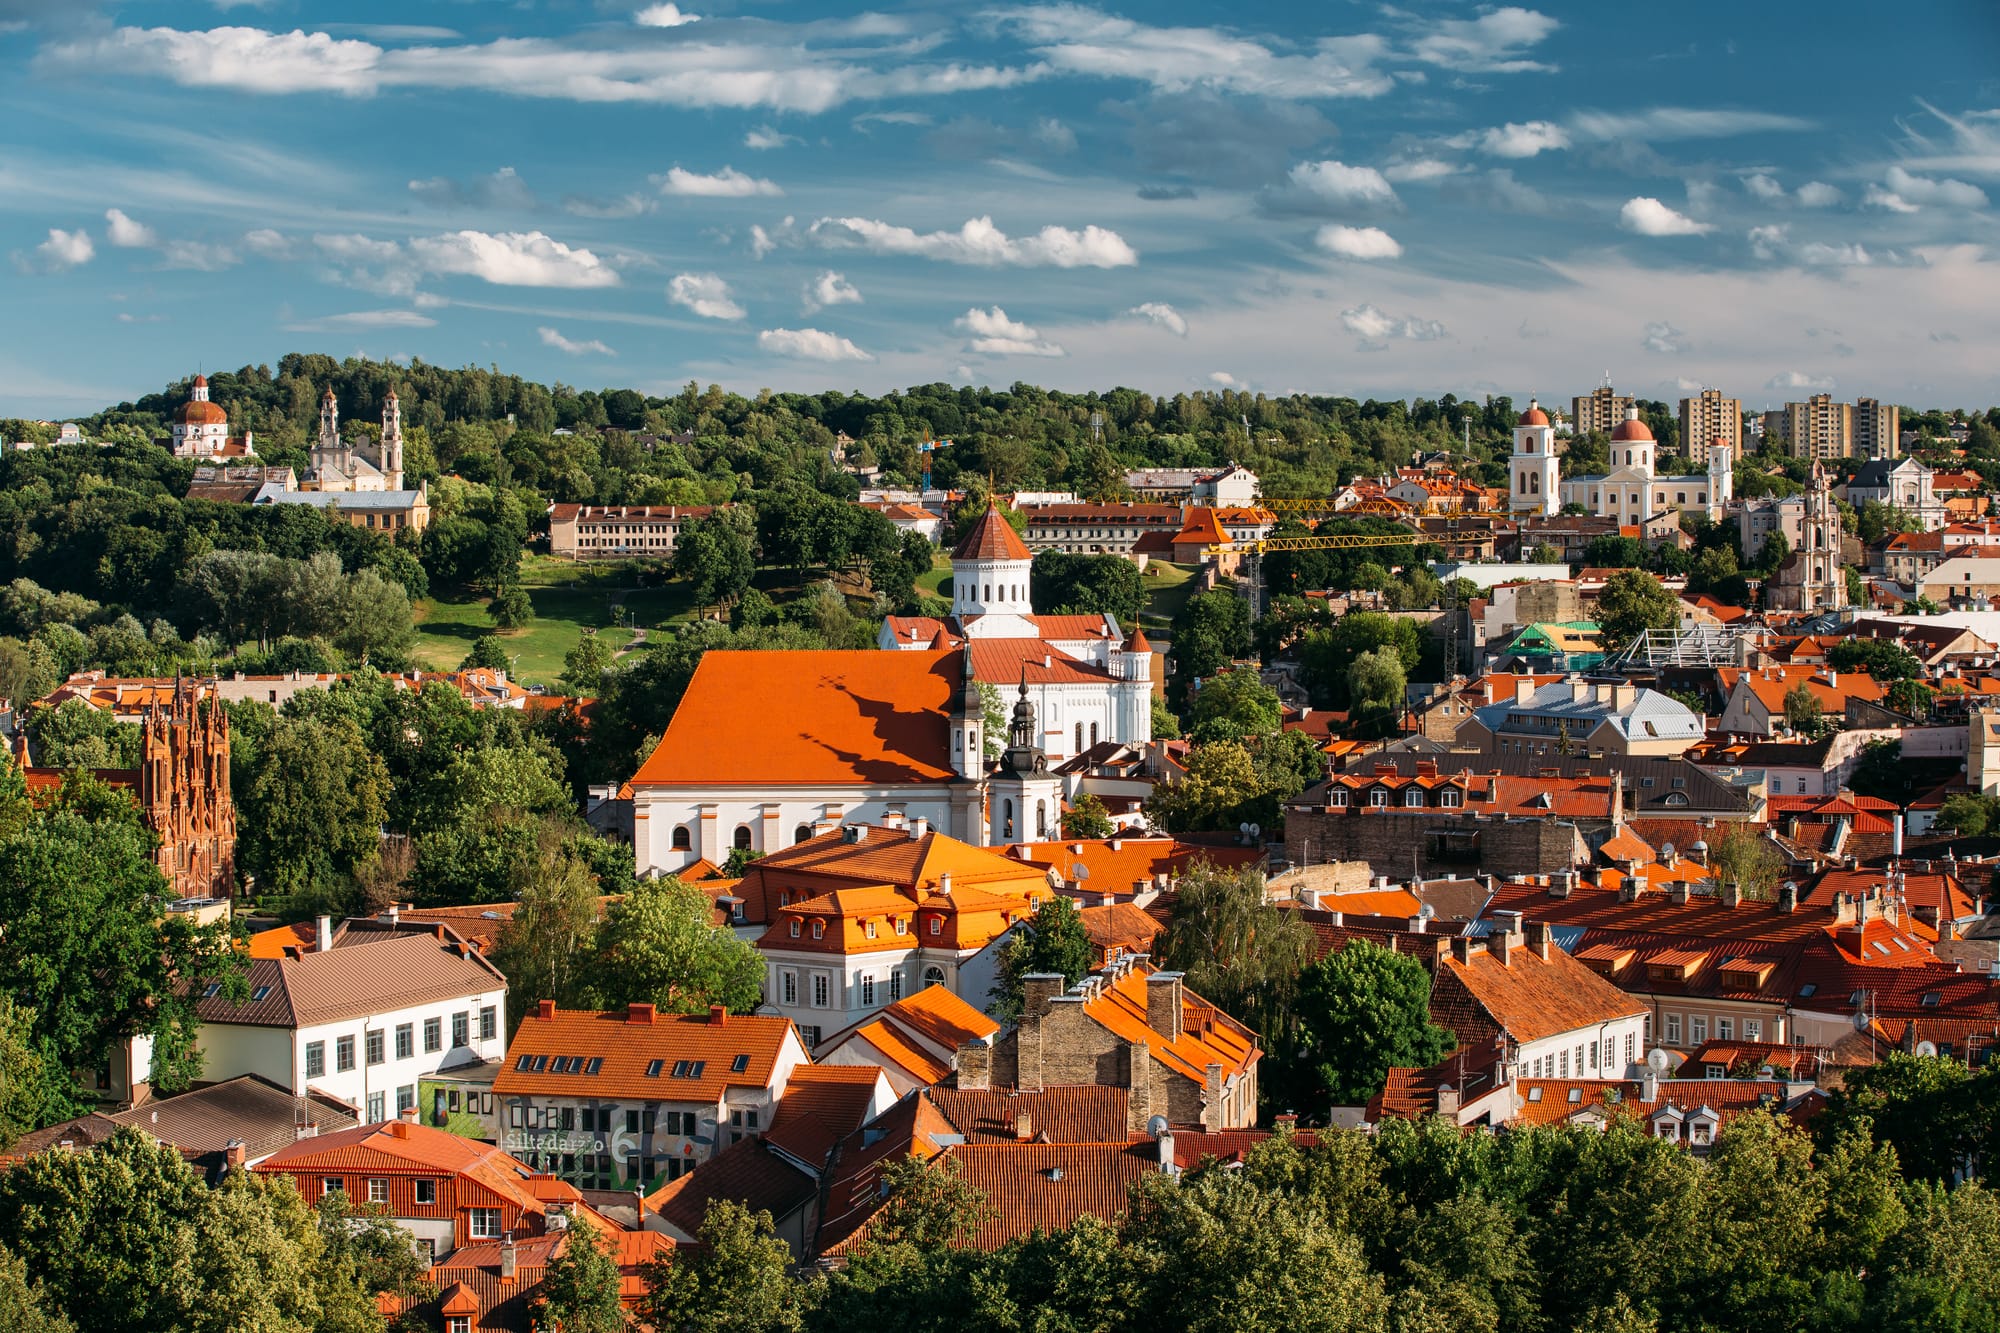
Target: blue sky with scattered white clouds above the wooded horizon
1283,197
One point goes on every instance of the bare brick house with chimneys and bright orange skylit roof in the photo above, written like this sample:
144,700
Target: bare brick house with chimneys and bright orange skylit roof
1135,1028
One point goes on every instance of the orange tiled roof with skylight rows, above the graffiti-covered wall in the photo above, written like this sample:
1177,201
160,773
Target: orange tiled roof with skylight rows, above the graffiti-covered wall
623,1048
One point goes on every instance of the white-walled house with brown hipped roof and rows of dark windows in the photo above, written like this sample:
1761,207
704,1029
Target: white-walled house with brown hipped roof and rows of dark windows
361,1022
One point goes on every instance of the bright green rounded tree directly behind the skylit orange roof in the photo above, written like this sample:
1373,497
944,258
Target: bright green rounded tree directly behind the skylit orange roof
659,946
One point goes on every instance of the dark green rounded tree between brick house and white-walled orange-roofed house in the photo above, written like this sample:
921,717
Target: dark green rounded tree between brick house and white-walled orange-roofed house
1365,1012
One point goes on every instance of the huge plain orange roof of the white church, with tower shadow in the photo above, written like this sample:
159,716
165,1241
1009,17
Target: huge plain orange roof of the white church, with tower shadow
781,720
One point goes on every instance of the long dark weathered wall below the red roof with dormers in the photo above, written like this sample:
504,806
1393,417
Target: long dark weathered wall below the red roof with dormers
1441,842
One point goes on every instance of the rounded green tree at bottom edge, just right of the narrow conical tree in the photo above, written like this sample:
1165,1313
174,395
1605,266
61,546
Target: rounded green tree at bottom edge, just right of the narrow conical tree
735,1280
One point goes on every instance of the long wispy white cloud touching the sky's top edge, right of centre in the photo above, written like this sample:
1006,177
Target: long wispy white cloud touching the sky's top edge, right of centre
1081,41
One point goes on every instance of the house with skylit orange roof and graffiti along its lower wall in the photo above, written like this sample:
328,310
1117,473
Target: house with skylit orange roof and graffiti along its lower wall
621,1100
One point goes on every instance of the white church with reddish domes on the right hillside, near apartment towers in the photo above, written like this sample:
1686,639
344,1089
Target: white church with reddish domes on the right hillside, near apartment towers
1629,491
